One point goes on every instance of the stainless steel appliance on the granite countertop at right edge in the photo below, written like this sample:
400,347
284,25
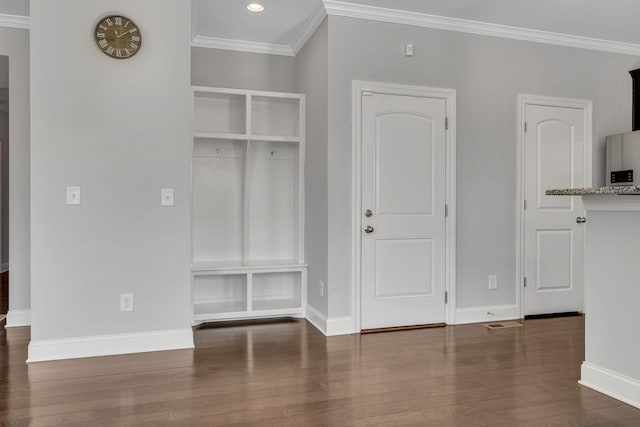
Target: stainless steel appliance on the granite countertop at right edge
623,159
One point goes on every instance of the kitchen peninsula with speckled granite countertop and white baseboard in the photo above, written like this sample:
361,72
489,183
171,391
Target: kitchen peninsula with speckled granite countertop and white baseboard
612,290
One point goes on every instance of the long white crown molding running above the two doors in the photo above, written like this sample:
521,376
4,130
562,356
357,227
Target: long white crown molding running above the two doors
339,8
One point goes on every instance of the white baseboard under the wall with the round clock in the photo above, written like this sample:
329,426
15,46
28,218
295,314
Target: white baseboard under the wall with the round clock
106,345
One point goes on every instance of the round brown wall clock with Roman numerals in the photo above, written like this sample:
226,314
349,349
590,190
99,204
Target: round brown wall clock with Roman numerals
118,37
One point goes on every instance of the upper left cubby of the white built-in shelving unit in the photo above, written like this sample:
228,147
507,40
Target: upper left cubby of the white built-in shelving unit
219,113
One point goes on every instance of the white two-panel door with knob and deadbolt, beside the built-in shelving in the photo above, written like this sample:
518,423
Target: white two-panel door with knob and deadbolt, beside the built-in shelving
404,188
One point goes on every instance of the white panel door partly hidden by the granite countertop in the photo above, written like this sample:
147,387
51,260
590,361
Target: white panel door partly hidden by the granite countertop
553,243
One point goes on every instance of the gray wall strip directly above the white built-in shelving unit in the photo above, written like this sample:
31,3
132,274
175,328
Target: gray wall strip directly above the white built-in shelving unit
242,70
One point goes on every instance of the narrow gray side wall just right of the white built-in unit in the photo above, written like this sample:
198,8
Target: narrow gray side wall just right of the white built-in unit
312,79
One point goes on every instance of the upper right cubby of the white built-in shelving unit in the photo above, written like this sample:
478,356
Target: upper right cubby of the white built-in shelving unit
275,117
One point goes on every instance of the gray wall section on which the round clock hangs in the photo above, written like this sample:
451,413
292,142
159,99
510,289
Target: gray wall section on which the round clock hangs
121,130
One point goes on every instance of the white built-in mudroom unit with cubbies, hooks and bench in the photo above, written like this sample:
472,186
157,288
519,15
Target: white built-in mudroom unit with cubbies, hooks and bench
247,195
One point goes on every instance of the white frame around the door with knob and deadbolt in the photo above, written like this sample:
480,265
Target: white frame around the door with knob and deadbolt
449,95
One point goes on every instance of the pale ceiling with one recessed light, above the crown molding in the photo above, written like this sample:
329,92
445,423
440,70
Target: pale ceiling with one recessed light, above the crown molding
285,24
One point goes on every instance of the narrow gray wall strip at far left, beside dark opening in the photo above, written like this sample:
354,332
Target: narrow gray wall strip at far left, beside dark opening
14,43
